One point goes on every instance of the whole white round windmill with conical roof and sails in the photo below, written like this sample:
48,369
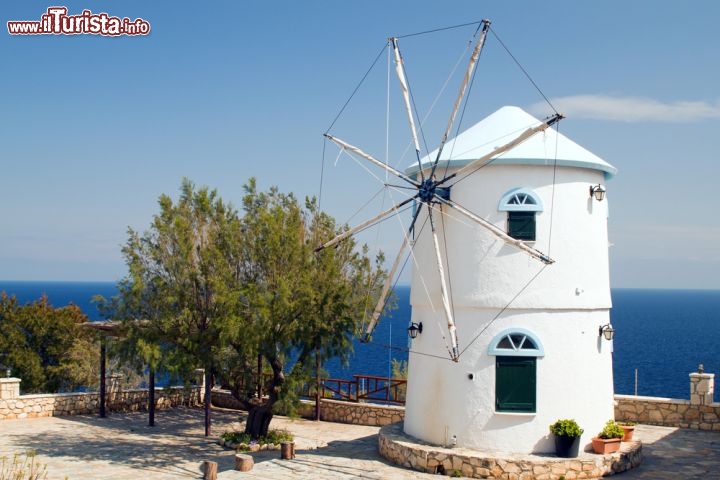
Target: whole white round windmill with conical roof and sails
514,257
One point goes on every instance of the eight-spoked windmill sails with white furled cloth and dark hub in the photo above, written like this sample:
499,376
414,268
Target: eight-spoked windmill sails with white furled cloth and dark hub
431,193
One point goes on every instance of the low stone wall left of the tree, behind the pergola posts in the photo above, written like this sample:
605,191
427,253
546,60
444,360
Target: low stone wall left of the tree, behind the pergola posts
54,405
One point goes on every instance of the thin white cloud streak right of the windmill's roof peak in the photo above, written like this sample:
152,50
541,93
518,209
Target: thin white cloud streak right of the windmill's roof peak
630,109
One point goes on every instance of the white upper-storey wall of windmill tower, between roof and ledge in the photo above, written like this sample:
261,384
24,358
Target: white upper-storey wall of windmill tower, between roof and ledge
485,271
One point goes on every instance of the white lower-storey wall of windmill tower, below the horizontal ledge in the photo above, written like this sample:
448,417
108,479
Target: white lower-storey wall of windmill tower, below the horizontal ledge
574,380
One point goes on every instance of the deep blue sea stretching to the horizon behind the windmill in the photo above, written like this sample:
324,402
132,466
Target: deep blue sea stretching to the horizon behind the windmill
660,335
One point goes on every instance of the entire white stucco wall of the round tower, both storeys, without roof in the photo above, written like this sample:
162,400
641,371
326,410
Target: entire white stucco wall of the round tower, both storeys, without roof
495,287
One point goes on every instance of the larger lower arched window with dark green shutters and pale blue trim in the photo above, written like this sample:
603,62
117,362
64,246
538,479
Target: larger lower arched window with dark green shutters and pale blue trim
516,351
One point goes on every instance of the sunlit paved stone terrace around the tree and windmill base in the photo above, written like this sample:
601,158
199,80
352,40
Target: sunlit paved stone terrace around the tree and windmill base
122,446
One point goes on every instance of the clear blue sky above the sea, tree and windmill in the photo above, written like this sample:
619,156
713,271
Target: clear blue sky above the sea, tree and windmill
93,129
